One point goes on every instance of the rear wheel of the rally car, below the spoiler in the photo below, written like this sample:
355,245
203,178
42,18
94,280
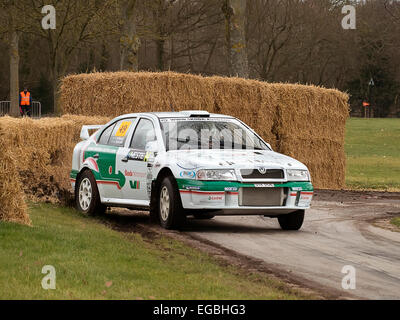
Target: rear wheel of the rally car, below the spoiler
87,196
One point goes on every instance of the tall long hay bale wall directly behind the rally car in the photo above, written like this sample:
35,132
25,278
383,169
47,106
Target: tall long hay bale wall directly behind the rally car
305,122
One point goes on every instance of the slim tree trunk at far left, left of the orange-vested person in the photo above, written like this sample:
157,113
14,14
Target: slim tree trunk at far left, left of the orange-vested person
14,73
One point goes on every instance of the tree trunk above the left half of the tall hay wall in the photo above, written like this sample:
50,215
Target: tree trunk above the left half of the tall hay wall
129,40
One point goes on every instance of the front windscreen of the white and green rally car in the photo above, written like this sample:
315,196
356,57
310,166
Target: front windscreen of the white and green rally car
208,133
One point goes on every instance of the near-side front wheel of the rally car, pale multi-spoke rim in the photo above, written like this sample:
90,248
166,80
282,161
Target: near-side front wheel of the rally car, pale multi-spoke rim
169,205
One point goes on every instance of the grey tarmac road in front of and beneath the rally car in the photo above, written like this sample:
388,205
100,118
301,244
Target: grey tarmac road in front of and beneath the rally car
339,230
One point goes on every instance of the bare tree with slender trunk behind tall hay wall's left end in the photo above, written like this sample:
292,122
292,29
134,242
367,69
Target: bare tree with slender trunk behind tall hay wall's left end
78,23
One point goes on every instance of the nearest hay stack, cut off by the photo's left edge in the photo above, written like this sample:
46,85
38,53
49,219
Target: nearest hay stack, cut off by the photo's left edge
12,201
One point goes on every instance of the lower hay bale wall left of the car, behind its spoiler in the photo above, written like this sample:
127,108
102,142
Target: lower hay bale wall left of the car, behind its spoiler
42,152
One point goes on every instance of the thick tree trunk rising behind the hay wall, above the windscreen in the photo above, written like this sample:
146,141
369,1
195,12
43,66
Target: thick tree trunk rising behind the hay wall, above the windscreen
235,19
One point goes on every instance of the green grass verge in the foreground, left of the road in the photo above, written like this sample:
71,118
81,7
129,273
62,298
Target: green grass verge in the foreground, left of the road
88,255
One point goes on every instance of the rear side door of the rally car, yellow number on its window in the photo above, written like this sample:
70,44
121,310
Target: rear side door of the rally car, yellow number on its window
109,177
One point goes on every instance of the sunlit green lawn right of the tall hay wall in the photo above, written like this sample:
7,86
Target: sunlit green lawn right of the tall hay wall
373,154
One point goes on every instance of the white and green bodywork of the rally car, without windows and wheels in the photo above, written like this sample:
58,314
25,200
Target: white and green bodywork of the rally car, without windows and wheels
129,183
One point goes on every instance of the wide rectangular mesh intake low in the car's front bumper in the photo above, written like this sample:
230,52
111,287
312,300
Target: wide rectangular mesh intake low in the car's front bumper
262,197
